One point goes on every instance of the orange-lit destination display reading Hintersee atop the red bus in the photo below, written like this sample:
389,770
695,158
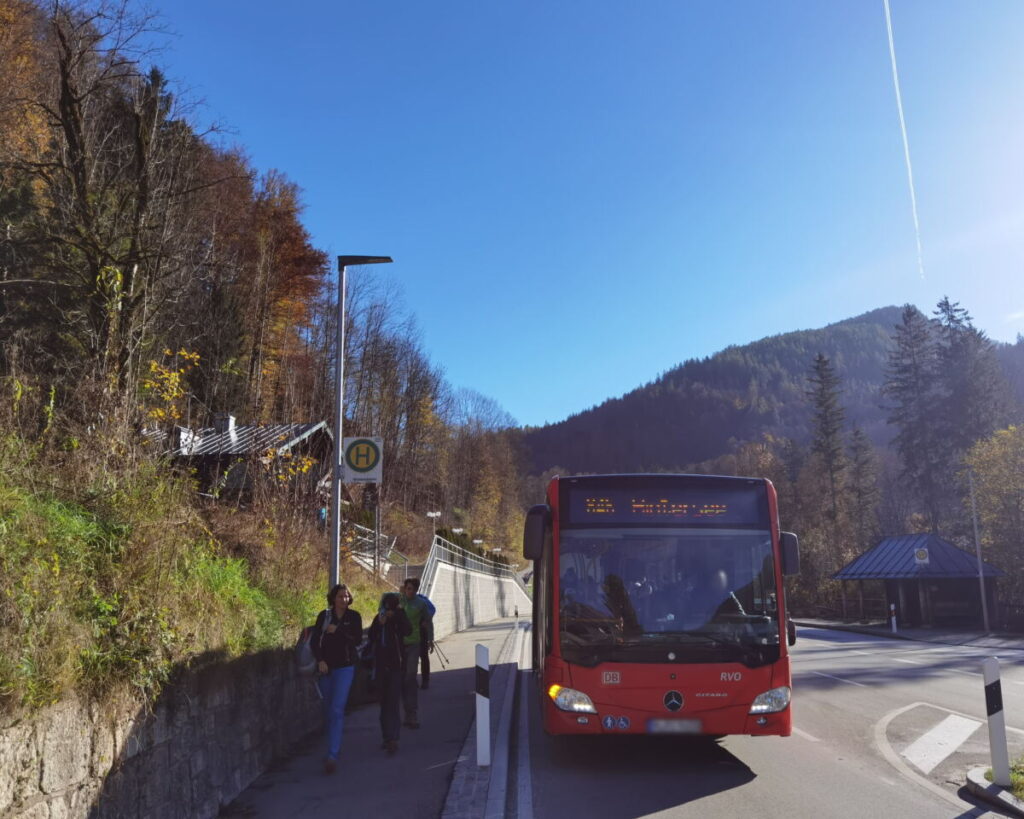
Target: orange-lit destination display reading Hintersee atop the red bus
742,507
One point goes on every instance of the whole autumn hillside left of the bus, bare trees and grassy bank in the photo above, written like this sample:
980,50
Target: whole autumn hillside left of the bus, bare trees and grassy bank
152,278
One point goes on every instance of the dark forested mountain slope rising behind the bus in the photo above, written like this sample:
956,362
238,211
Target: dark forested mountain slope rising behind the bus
699,411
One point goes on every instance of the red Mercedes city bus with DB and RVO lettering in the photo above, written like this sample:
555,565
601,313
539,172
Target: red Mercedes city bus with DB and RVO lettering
659,606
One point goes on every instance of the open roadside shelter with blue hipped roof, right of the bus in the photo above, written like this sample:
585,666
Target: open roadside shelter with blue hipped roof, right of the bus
930,581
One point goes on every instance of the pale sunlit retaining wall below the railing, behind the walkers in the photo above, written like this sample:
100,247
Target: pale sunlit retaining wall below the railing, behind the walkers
465,598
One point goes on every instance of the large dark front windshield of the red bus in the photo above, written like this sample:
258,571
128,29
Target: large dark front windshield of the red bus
668,595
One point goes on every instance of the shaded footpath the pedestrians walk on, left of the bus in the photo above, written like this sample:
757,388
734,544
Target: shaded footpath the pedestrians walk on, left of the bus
415,783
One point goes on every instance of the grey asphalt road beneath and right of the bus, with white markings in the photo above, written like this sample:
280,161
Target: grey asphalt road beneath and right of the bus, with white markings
882,728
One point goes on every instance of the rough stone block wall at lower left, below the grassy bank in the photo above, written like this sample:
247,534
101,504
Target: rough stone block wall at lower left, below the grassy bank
210,735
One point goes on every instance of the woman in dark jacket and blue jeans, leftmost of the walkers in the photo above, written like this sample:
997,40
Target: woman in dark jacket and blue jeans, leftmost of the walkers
335,643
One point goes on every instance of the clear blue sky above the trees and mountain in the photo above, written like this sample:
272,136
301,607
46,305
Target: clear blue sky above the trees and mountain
580,196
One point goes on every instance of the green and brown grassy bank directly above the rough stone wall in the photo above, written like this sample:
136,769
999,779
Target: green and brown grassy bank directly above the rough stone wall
112,576
